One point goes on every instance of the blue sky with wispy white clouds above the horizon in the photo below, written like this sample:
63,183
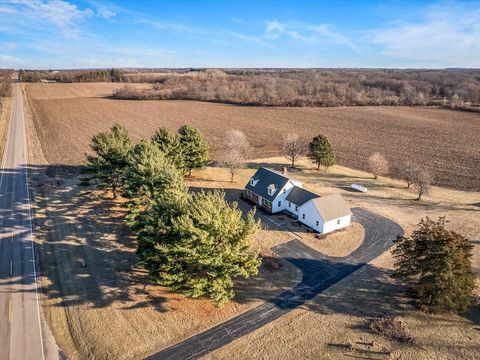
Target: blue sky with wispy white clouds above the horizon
86,34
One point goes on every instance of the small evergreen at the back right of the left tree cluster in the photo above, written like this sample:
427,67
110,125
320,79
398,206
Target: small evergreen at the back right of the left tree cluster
194,148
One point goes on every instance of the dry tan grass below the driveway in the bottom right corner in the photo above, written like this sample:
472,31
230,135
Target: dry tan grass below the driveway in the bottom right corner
332,326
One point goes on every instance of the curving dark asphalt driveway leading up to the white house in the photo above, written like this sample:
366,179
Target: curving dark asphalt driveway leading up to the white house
319,273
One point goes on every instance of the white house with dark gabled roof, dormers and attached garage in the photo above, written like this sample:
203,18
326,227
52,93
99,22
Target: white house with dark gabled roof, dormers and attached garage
276,192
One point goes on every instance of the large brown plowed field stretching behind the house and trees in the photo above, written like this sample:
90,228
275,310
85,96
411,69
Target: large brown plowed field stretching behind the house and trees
444,141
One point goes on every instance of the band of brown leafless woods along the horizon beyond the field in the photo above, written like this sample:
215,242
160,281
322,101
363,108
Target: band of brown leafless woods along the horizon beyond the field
280,87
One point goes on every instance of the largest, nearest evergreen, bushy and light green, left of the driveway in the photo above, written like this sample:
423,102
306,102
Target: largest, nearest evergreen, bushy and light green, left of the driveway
200,246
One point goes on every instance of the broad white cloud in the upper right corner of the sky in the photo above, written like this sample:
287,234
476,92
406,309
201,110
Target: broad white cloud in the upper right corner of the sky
448,36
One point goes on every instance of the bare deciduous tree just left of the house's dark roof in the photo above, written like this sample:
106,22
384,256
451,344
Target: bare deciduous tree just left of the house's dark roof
237,150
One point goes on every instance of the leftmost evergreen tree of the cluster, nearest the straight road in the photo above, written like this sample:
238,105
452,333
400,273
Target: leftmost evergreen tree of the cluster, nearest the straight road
111,157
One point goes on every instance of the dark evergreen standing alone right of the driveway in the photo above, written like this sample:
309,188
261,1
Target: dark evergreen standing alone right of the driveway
439,262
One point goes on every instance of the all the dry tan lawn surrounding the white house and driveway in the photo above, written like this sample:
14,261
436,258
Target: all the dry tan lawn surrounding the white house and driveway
101,302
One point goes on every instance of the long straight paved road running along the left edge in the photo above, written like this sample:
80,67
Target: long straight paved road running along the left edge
20,318
